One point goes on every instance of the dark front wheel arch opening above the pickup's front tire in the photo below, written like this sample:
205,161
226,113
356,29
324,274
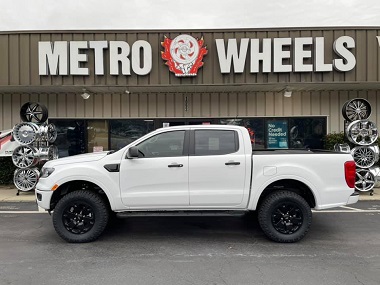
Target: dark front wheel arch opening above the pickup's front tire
75,185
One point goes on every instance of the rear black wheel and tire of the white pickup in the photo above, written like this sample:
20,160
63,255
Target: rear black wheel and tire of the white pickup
284,216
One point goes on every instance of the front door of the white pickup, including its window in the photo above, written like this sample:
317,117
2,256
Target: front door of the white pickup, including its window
159,177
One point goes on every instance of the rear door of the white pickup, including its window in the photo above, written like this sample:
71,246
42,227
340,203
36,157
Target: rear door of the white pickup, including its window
218,173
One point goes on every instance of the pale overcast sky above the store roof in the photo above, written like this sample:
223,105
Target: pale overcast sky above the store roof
18,15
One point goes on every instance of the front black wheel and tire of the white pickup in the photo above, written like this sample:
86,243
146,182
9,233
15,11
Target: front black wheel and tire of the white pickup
80,216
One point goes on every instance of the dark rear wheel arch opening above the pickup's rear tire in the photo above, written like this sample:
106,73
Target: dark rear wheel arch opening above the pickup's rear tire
292,185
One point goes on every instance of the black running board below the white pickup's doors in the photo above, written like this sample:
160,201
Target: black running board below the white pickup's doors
128,214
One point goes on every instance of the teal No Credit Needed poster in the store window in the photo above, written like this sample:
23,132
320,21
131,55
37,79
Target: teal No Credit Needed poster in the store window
277,133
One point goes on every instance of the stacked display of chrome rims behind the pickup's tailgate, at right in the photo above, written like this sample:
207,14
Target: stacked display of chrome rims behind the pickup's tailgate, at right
363,134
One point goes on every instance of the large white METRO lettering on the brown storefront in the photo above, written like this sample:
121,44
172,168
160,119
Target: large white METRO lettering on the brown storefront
71,58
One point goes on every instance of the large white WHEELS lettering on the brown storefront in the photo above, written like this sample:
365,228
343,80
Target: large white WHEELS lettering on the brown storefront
285,55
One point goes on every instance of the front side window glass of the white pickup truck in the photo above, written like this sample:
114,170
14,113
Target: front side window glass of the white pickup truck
163,145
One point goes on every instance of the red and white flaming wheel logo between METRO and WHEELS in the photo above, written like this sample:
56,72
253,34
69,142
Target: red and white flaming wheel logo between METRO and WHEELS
184,55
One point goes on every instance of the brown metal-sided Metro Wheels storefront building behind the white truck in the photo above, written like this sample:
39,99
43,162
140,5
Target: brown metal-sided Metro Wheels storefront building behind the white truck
287,86
